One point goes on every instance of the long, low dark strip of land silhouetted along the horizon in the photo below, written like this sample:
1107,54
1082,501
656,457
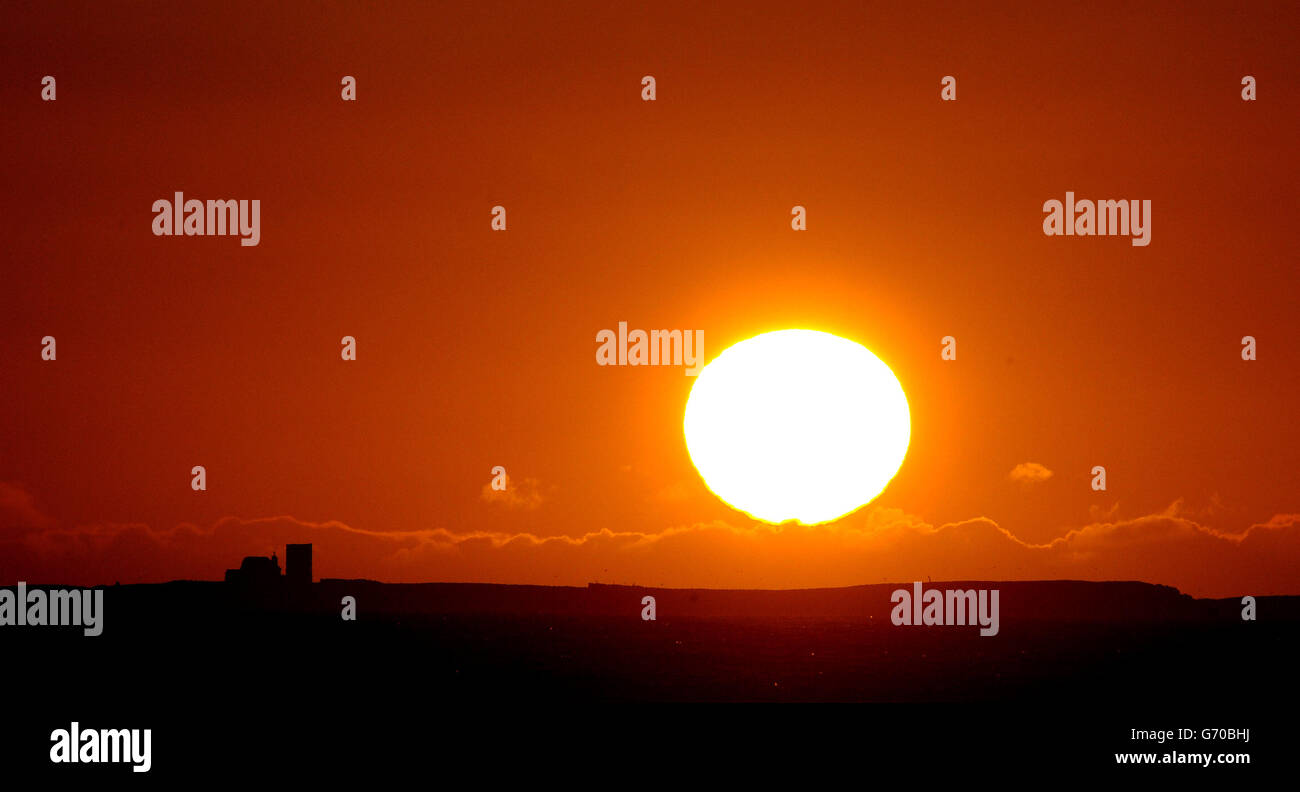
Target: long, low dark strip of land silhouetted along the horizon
1065,601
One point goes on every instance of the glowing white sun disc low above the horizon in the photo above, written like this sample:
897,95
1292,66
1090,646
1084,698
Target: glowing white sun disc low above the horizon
798,426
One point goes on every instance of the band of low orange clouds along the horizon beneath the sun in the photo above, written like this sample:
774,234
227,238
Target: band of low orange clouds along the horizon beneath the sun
873,546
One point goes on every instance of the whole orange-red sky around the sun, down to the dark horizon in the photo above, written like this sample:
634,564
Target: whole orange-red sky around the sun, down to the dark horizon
478,348
